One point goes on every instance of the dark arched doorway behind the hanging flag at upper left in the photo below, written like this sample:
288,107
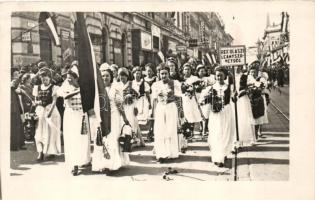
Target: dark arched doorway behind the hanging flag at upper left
44,39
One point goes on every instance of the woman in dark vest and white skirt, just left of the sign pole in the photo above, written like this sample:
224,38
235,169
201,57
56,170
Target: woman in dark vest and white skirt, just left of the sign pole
221,118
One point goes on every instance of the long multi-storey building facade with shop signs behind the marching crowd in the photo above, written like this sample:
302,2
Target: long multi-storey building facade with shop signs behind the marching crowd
123,38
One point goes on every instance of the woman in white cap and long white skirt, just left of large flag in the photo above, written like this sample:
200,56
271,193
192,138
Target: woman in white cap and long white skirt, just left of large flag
76,136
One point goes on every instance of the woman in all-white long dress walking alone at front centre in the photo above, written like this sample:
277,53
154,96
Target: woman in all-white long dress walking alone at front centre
166,116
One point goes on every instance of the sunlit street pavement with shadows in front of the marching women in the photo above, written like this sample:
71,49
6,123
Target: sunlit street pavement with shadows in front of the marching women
268,160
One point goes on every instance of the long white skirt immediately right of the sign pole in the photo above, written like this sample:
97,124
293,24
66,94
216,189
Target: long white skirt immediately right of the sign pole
245,120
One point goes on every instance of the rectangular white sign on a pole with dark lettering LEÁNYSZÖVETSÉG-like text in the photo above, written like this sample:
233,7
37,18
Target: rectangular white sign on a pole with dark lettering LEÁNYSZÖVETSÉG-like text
233,55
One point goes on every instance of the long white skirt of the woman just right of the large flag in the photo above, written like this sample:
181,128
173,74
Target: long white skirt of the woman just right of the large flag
117,157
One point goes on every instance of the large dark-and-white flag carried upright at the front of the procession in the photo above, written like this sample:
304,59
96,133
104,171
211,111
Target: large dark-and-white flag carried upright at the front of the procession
92,87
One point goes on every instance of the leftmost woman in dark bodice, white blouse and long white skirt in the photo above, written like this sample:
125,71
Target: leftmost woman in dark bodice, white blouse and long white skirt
47,134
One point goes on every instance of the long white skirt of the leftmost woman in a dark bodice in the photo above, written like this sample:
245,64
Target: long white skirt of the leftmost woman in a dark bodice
47,135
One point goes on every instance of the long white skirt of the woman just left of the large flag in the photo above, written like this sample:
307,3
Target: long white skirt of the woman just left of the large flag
77,146
